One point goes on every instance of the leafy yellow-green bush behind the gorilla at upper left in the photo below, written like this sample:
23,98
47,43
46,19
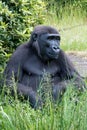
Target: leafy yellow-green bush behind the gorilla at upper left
17,19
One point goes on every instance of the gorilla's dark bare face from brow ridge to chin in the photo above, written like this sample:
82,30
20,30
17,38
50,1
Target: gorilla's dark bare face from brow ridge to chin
49,45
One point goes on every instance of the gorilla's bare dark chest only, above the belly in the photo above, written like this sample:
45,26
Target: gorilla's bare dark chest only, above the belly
38,68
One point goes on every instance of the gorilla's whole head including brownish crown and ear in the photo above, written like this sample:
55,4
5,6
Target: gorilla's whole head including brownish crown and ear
46,41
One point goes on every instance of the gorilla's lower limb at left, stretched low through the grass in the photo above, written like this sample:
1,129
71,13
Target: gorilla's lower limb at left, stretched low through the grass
26,91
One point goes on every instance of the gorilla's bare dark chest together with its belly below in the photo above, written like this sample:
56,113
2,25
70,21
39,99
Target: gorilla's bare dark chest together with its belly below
34,71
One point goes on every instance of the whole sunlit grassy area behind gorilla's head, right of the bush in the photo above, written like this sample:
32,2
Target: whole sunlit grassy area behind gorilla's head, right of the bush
71,21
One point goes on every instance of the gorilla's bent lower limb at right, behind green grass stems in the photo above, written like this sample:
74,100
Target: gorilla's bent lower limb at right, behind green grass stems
60,88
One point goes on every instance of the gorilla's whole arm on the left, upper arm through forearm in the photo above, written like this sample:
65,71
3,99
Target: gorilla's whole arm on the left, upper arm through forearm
15,74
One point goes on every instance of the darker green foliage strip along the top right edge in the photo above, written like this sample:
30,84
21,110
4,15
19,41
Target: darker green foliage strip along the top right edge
60,7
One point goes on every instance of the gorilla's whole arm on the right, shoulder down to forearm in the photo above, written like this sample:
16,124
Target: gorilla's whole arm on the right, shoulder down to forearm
68,75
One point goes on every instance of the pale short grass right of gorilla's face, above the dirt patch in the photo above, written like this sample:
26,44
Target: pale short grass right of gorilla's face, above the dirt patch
75,39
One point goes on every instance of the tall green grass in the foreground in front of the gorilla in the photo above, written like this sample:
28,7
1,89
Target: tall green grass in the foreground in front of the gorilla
67,115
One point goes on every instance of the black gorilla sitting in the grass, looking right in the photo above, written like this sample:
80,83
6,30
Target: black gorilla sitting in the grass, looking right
41,54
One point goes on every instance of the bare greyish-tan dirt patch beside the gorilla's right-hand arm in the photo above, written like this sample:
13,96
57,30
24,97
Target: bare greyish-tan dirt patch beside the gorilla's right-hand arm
79,59
